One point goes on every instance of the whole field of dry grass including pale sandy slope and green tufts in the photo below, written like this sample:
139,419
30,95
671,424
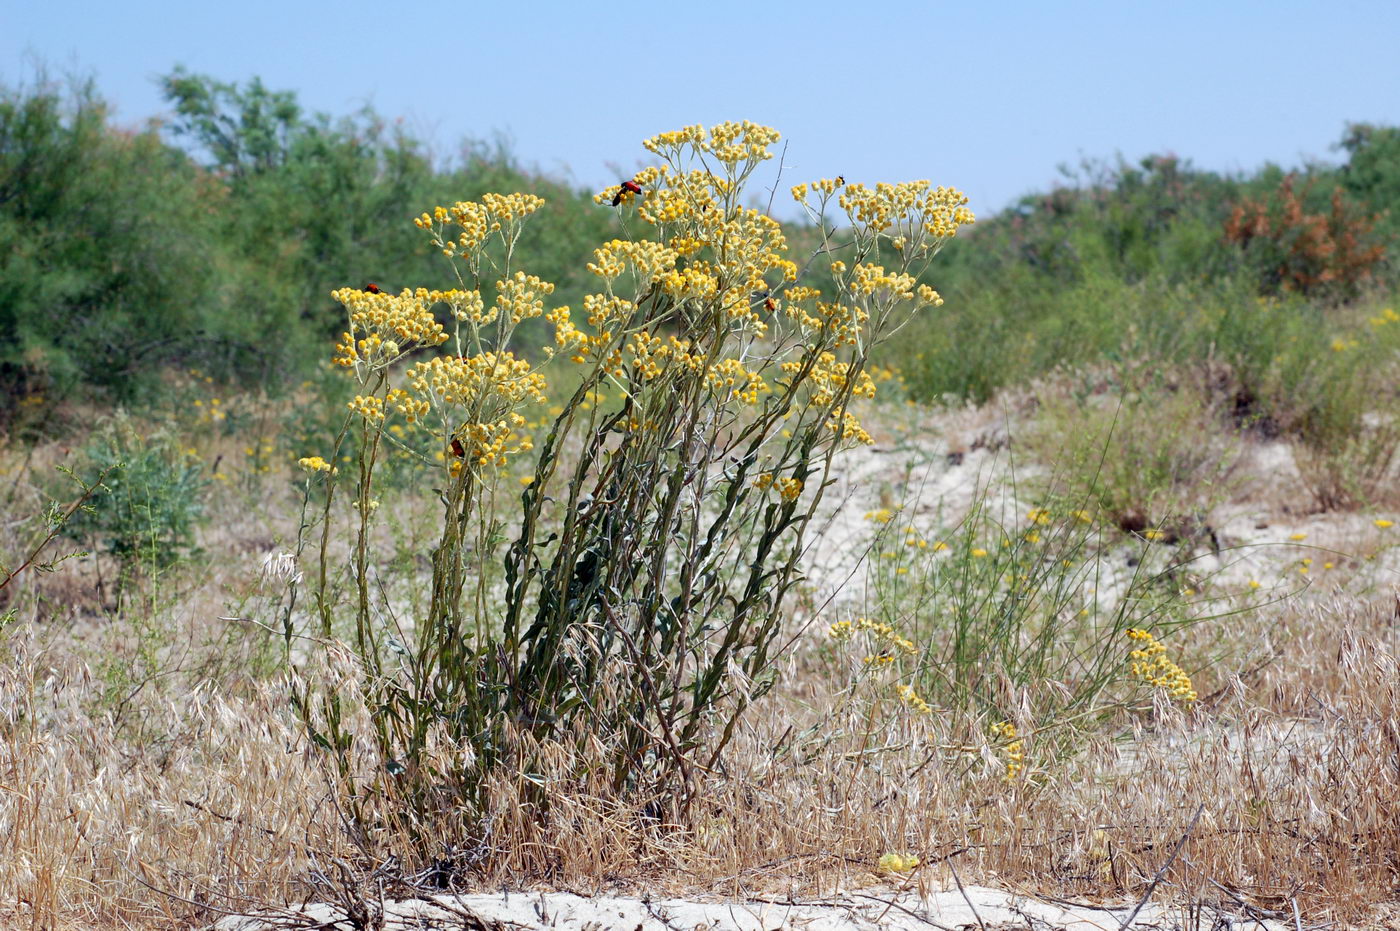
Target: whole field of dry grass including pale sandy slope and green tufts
156,773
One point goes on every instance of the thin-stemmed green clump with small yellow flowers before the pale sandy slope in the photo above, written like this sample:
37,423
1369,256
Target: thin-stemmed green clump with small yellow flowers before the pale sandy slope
1014,621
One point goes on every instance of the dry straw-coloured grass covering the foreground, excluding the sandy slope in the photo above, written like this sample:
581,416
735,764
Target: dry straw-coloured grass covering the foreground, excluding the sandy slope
152,773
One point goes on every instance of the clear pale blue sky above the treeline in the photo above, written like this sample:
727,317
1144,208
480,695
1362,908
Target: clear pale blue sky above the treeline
988,97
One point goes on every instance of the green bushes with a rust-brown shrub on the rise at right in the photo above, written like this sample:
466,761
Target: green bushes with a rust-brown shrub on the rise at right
1165,264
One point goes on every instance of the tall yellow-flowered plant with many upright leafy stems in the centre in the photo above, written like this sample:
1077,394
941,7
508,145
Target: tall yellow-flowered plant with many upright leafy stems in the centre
649,555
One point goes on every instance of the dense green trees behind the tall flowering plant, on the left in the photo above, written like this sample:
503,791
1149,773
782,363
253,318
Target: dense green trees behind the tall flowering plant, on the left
215,241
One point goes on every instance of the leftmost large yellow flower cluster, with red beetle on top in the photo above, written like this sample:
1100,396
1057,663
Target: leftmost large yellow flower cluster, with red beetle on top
384,327
